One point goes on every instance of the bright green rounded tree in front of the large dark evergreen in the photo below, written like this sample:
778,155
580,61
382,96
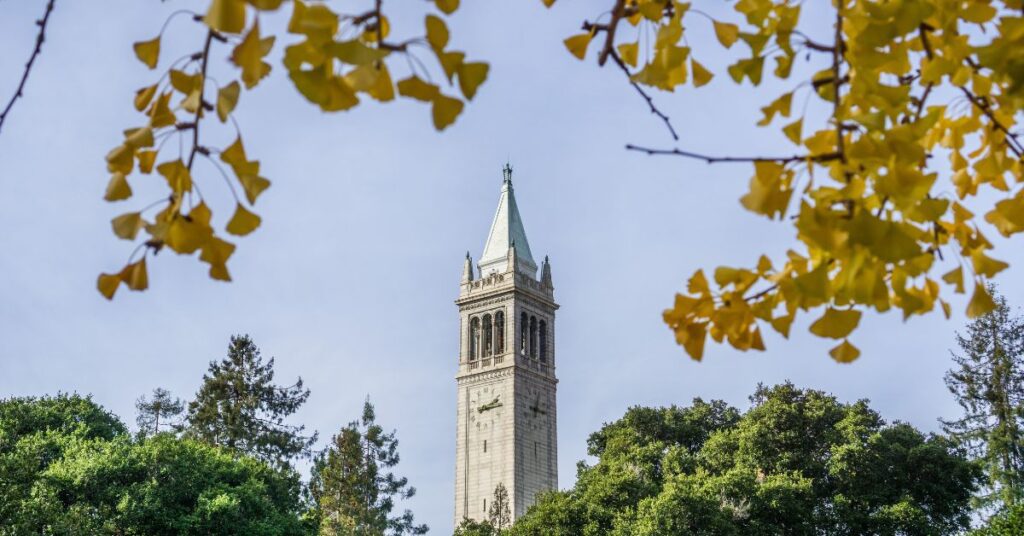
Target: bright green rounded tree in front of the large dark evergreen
166,486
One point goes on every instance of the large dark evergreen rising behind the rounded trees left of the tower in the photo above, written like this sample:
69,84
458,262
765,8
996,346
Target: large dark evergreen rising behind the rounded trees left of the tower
239,407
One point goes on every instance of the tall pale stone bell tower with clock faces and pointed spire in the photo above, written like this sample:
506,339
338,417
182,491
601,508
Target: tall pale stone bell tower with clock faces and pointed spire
506,409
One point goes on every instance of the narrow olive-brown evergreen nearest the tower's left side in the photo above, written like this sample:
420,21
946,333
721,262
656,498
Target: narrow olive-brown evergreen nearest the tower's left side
353,487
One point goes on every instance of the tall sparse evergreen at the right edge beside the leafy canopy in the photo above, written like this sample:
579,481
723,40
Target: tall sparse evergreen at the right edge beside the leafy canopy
989,384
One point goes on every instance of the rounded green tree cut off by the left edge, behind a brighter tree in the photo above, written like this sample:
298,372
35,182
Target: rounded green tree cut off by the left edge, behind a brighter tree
34,434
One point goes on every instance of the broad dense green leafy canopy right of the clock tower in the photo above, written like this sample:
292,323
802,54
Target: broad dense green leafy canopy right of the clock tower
798,463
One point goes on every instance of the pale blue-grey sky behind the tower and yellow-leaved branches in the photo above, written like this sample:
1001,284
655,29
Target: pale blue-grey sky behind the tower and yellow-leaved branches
350,283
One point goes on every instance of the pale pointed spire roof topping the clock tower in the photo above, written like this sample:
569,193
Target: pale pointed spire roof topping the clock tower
506,232
